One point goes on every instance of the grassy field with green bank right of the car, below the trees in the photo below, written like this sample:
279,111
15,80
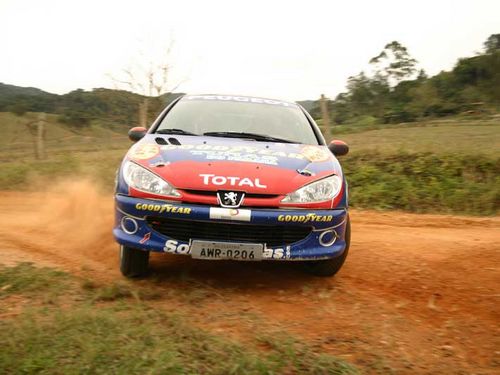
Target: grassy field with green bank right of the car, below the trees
446,167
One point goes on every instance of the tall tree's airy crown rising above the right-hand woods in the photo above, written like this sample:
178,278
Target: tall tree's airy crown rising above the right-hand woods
394,63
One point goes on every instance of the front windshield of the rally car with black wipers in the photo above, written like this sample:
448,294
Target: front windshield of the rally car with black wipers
239,116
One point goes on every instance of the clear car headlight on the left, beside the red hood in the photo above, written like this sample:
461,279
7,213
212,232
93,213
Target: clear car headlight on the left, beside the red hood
141,179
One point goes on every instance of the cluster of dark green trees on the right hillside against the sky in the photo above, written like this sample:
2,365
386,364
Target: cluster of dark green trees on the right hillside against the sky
396,91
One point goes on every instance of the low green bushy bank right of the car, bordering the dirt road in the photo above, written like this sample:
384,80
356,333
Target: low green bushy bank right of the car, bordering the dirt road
425,182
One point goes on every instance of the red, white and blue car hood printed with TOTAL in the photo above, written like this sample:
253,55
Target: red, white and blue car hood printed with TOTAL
216,163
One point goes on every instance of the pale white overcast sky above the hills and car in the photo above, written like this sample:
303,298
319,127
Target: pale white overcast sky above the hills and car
286,49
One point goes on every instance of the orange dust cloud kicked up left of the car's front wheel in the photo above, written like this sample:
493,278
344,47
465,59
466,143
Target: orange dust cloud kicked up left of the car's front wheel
71,220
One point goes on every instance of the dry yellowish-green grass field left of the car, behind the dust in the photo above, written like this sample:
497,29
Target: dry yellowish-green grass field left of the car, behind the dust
95,151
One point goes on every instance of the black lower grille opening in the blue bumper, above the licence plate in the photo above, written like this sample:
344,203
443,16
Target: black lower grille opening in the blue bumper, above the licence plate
272,235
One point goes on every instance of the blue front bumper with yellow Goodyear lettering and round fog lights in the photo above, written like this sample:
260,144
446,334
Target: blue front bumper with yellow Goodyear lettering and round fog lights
325,240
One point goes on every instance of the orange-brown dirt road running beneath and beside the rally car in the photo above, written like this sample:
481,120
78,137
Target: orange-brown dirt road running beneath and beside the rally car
418,293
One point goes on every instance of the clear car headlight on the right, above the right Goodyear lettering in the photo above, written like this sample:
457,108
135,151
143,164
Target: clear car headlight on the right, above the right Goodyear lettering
319,191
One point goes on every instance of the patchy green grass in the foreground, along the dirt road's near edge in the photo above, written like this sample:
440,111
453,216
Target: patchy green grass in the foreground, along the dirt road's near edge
117,334
